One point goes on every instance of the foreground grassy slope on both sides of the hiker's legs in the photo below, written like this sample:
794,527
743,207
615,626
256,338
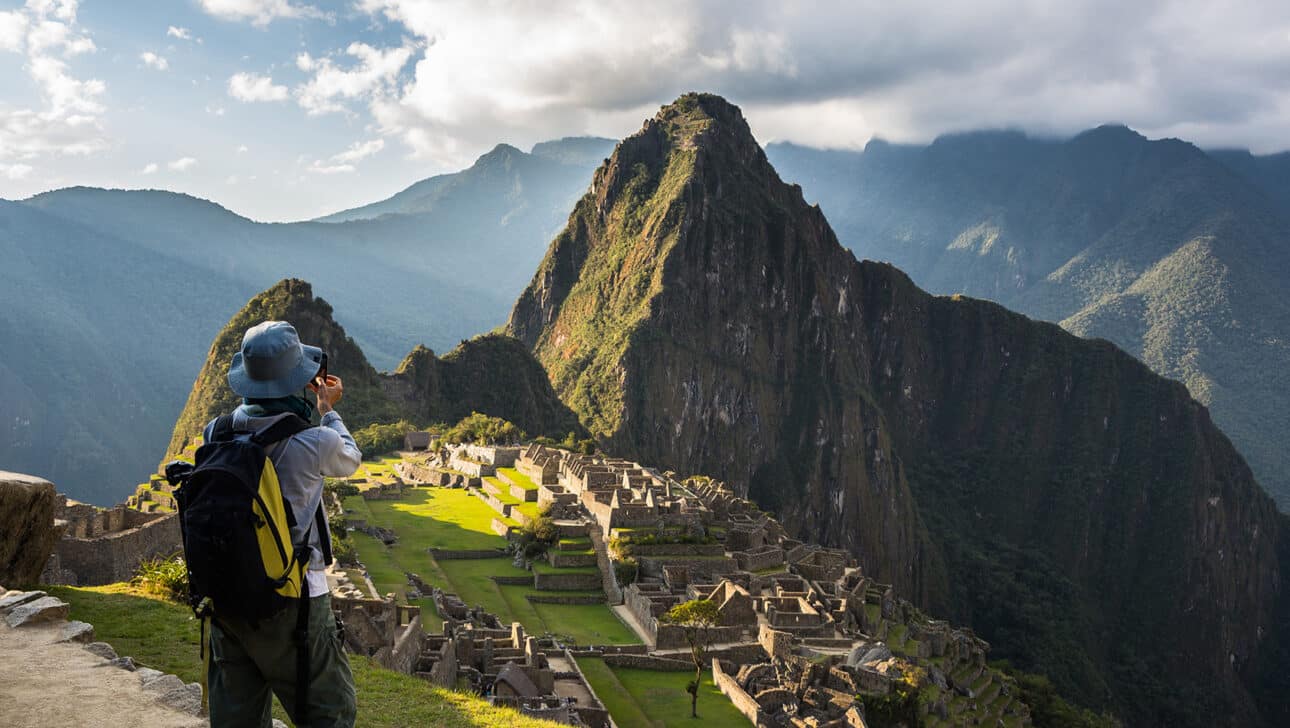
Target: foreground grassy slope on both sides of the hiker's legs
163,636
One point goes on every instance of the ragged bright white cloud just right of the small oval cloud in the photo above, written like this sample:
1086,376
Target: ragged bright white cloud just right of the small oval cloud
376,73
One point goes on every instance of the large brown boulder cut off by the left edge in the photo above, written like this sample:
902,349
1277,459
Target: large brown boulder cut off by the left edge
28,530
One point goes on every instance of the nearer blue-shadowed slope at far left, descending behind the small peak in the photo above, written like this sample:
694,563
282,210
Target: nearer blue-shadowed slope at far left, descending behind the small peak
88,357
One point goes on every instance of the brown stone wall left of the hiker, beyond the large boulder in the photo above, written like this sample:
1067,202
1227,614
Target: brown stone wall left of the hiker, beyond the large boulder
115,557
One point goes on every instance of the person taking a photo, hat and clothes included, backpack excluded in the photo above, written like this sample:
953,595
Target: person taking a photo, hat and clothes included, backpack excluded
250,660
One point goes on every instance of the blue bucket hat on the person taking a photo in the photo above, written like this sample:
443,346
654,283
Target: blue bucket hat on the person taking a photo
273,362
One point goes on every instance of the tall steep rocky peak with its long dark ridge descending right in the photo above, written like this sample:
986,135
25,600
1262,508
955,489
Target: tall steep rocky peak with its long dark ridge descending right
1078,511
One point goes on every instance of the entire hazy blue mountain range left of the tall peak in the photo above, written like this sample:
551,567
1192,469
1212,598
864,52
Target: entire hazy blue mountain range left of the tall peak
113,298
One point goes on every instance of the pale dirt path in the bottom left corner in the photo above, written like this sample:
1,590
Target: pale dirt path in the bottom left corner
45,683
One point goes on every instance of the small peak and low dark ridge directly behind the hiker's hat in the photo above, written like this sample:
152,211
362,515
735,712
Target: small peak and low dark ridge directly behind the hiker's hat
493,375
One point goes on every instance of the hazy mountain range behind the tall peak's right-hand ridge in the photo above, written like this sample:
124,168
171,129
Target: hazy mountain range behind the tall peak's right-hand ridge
1176,255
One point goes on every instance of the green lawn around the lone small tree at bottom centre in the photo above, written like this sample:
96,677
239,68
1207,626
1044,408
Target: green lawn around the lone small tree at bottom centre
648,699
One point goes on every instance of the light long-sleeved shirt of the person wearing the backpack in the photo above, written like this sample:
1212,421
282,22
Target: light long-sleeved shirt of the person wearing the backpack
301,464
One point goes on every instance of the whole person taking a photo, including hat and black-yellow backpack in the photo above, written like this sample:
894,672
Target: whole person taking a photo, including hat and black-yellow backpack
272,628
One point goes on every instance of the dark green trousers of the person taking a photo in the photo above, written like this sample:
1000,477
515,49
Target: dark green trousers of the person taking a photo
247,663
